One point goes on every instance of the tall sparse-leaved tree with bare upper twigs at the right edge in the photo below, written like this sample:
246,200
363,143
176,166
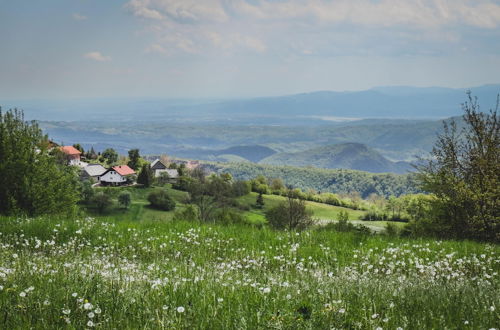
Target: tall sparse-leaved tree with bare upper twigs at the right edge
463,173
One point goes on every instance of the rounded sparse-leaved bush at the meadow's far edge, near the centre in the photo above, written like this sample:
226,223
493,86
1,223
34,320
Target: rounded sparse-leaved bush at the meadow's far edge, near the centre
291,214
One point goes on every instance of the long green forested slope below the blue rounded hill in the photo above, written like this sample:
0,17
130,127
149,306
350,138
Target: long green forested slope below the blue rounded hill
326,180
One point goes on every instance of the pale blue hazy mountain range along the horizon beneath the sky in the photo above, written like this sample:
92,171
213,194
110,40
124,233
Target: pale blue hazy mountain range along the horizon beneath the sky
298,109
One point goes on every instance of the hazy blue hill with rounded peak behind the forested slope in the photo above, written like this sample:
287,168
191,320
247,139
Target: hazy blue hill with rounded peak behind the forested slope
355,156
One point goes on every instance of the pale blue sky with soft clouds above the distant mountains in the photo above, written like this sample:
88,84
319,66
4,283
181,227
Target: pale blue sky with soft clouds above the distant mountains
242,48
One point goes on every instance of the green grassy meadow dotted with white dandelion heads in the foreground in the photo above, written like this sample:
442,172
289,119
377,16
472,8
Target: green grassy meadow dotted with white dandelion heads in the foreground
149,274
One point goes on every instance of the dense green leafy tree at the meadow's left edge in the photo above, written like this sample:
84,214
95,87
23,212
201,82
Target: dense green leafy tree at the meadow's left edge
32,182
